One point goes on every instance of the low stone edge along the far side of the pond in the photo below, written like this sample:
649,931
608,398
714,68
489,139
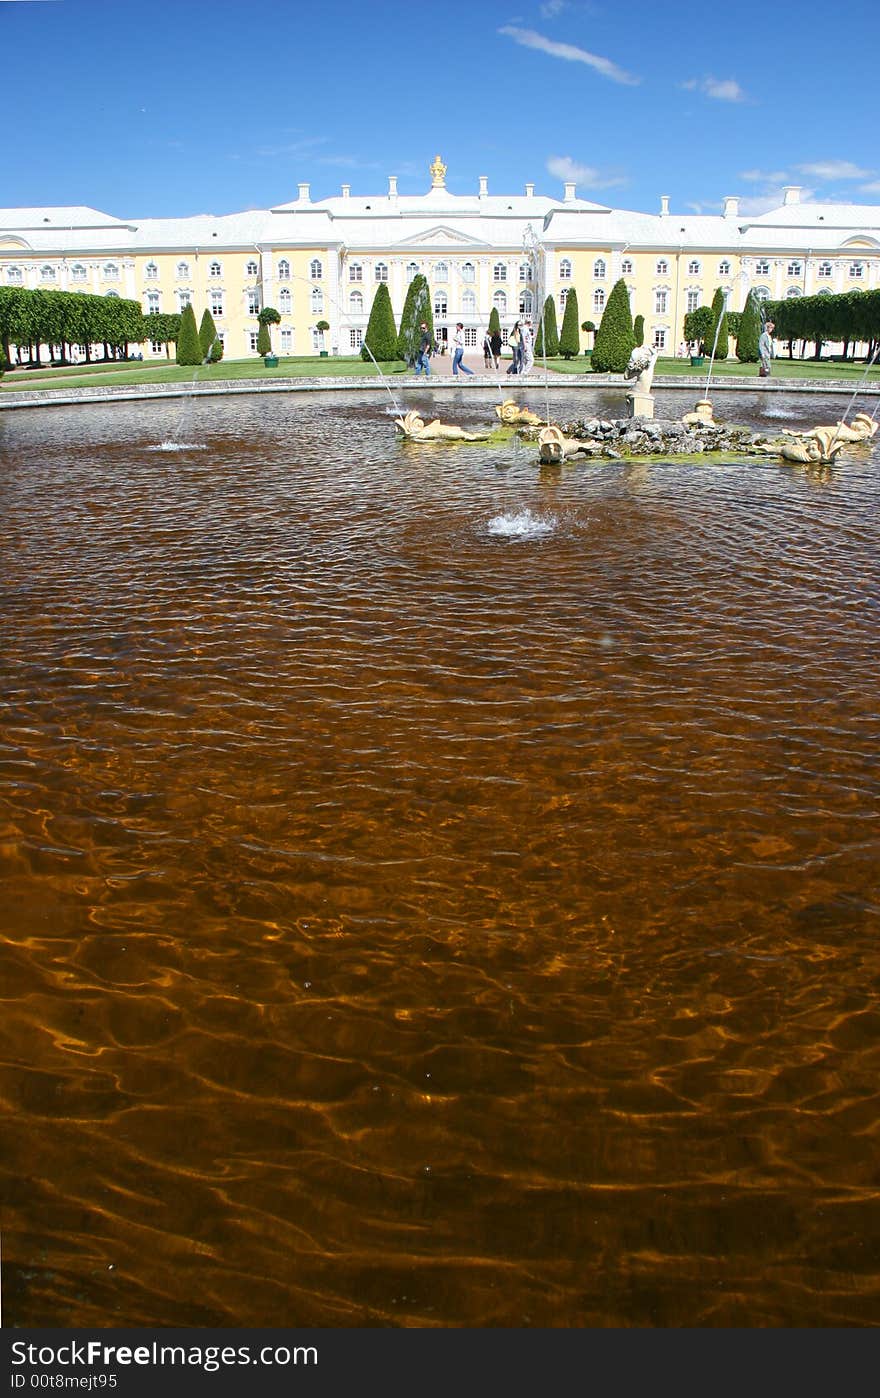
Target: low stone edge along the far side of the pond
232,388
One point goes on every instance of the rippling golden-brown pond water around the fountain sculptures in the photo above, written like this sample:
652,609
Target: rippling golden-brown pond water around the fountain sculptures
437,893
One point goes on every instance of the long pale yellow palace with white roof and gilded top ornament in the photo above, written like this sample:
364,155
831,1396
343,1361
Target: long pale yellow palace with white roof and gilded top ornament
322,261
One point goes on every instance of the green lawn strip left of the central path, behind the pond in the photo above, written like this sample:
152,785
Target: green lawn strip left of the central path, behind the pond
135,371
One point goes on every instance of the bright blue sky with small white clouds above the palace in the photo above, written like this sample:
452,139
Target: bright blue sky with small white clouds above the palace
160,110
